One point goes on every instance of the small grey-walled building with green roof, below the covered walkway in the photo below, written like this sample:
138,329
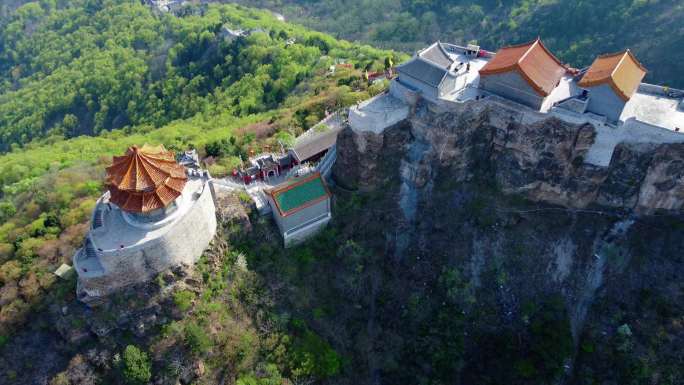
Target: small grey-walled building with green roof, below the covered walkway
301,207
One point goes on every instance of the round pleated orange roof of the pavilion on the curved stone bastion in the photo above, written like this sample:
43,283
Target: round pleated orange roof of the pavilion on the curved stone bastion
145,179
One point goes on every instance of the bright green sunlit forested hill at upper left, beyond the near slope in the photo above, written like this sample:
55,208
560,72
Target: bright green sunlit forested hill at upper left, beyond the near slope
69,68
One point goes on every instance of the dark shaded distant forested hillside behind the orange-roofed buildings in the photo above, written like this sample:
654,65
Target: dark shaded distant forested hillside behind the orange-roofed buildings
576,30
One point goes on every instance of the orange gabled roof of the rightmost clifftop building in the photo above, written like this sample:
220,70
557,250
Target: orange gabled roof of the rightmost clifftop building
622,71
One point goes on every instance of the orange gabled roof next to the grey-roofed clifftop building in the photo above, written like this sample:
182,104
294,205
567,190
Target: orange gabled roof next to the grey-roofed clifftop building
535,63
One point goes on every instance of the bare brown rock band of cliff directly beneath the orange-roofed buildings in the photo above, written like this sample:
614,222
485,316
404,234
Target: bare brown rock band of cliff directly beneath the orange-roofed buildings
542,159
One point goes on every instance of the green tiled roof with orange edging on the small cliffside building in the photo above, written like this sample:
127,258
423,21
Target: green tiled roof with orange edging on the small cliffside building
297,194
